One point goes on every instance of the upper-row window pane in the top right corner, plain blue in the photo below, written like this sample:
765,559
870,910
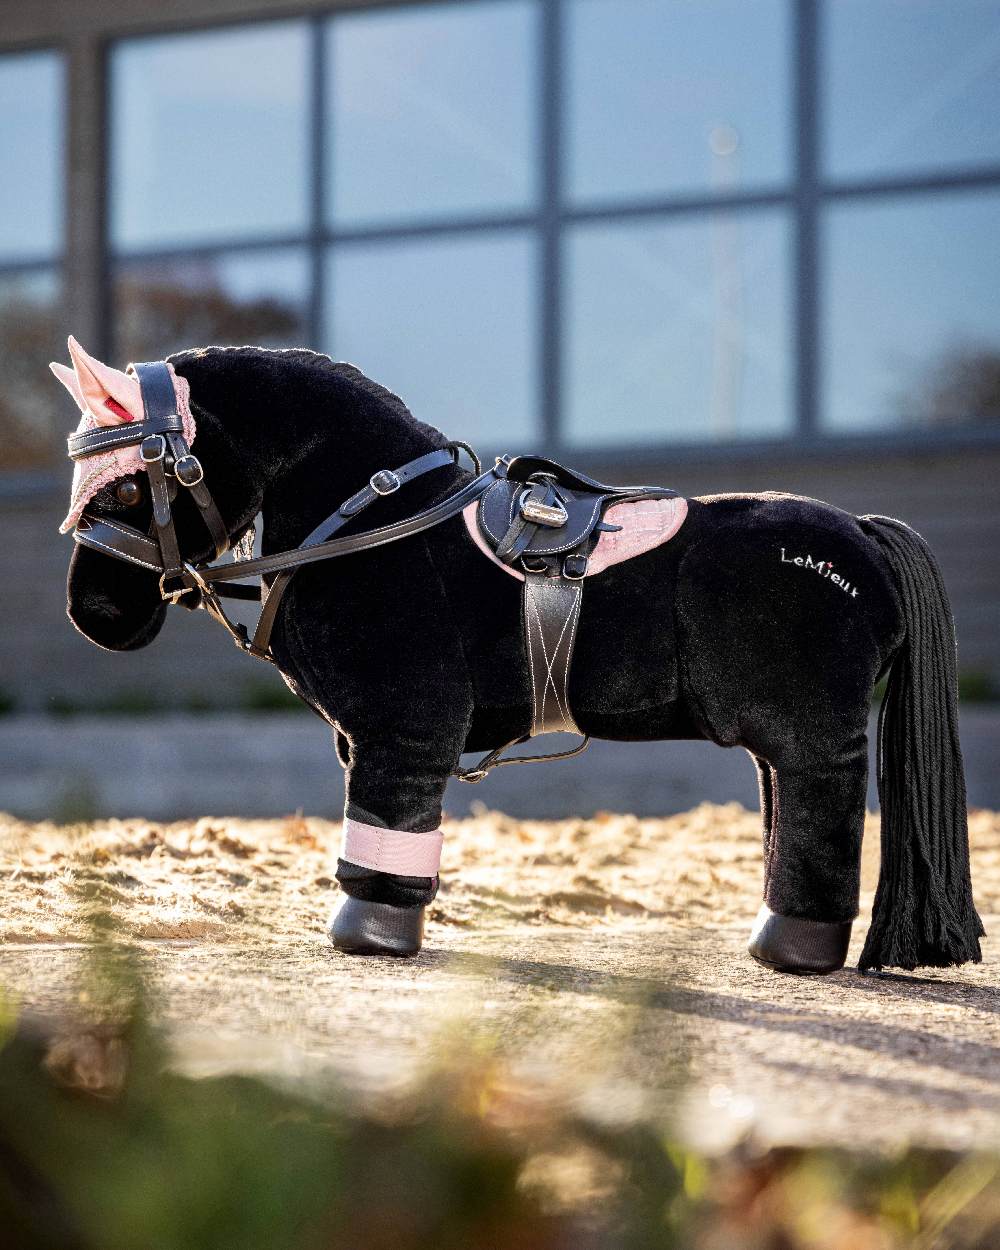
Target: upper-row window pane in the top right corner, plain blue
912,84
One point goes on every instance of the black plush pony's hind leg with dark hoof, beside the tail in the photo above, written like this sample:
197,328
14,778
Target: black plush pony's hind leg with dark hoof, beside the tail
814,817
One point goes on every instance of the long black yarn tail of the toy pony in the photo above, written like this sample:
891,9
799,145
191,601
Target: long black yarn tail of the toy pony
924,911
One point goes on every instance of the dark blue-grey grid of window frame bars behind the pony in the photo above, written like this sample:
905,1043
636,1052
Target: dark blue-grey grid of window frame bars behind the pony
806,198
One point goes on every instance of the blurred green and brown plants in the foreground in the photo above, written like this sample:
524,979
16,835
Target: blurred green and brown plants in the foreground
103,1147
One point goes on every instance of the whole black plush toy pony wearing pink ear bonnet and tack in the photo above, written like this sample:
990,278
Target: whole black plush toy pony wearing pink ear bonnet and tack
761,622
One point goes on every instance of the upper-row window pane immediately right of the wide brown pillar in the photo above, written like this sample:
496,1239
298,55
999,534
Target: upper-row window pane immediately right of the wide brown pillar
209,136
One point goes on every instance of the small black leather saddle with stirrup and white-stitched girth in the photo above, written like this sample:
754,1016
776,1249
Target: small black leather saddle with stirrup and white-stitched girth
546,521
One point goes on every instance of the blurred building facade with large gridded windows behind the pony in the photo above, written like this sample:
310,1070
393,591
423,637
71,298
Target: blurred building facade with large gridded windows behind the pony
727,246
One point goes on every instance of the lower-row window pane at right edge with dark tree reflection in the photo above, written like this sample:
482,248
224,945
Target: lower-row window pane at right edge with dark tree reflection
912,314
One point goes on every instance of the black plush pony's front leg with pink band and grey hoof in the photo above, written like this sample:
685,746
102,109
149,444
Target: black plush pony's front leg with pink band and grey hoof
392,849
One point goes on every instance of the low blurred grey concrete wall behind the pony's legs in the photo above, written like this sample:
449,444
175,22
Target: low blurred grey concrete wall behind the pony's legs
177,768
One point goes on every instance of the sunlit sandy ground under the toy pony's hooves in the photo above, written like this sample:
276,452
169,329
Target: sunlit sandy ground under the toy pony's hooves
603,957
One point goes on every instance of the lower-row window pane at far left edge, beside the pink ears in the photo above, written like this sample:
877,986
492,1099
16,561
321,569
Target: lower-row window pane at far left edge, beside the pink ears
33,412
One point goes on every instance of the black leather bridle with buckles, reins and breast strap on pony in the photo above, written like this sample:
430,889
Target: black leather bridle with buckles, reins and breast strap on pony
172,467
